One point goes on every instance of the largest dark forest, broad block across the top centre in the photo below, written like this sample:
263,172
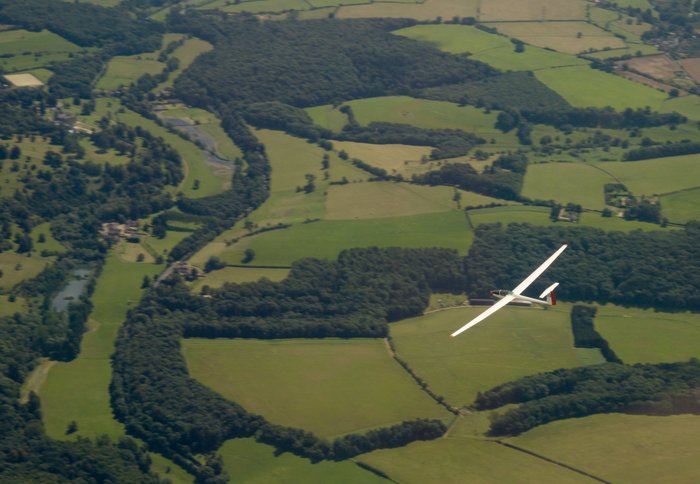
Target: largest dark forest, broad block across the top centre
311,63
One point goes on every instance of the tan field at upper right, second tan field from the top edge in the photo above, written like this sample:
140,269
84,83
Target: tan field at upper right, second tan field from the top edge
567,37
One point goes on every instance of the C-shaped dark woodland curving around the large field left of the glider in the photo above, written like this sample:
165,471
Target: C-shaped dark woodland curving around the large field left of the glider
353,296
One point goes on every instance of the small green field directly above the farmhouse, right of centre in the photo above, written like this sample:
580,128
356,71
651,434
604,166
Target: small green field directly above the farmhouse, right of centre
578,183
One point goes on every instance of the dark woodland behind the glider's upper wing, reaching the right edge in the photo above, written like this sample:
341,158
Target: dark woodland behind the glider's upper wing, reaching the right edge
645,269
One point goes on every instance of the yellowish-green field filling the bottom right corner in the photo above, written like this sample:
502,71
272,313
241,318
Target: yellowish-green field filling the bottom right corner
622,448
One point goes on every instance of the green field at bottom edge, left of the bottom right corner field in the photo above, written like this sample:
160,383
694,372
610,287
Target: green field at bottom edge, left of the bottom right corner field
454,460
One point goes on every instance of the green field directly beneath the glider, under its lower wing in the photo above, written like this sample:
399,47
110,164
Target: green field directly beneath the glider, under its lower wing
515,342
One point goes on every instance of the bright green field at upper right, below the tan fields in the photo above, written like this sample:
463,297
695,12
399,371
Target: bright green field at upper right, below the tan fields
599,89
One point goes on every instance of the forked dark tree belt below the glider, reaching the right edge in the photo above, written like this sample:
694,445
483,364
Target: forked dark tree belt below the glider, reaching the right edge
661,389
